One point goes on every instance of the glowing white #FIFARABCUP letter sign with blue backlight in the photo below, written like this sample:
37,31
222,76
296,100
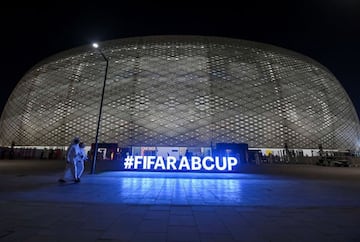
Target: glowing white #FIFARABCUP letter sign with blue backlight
170,163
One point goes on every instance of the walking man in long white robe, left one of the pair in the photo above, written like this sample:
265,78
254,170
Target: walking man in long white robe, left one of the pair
71,169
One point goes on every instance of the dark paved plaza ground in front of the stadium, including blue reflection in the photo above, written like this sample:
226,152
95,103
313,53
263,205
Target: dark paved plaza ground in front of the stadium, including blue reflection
263,203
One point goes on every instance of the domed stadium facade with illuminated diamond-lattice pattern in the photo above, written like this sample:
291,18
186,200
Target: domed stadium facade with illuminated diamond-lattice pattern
184,91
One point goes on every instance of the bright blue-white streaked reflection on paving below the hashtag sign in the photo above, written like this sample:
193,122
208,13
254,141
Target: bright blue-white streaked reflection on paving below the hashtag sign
182,191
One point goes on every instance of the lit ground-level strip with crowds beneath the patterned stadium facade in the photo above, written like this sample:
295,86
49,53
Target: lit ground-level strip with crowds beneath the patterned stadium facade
255,155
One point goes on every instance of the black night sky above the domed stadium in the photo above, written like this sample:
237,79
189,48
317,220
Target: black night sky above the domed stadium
325,30
